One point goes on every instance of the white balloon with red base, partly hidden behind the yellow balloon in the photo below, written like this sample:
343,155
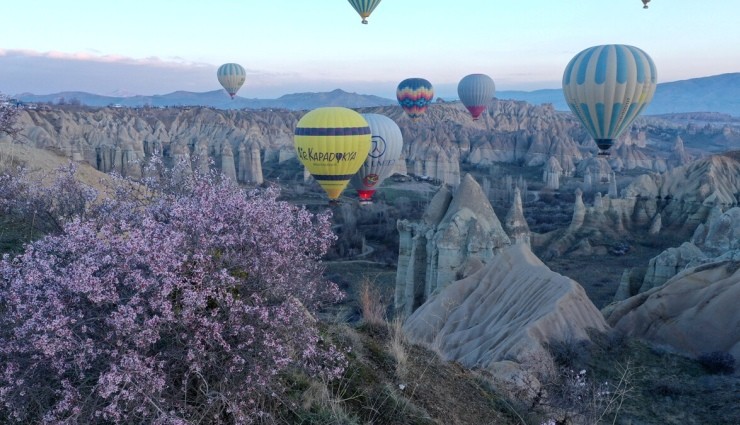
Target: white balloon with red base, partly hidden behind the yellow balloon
385,148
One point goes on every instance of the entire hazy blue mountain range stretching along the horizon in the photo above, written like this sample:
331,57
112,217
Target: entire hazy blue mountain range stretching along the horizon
719,93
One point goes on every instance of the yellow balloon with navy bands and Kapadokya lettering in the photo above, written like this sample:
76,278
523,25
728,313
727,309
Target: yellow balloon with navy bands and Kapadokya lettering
332,143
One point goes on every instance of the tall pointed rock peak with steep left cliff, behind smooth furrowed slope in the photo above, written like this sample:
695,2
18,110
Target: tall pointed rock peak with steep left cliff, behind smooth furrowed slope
458,233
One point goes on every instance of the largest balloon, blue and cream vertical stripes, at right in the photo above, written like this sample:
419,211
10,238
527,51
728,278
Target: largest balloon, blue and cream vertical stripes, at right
607,87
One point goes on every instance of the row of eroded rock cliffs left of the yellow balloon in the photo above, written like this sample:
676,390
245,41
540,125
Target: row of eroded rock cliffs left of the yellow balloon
235,142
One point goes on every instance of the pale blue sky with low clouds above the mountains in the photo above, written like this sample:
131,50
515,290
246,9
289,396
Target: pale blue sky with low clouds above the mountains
151,47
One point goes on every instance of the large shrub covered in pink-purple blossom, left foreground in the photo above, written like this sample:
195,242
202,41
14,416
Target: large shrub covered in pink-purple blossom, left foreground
168,310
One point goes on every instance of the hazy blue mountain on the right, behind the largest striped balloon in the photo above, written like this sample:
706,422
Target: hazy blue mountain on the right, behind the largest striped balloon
718,93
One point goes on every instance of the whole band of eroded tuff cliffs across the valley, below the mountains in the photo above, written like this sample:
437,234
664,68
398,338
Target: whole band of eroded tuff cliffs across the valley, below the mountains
436,145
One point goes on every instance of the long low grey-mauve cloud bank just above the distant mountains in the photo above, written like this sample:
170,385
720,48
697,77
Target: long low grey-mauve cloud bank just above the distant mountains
27,71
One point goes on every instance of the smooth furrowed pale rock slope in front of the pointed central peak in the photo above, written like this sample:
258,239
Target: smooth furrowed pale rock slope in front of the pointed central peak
507,310
